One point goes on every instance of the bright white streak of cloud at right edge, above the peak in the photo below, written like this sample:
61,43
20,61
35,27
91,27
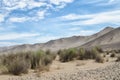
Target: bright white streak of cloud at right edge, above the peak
106,17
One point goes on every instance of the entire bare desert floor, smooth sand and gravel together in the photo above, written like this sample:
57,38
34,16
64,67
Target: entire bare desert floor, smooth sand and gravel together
74,70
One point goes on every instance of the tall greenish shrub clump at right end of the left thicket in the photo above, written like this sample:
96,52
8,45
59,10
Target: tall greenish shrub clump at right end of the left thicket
42,59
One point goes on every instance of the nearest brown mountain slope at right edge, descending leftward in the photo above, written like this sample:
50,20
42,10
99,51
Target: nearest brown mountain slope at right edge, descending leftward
110,40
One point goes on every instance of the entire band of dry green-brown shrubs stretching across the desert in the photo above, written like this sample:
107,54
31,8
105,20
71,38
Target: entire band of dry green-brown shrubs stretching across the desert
21,63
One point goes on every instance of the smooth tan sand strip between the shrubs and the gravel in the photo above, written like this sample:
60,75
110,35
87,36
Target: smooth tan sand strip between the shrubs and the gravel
58,67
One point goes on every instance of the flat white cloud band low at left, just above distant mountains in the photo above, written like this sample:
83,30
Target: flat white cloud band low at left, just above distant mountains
13,36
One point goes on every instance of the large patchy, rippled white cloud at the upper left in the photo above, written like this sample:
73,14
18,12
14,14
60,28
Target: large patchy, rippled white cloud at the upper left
26,5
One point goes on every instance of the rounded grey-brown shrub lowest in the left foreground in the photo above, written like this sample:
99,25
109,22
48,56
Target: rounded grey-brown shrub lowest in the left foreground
17,67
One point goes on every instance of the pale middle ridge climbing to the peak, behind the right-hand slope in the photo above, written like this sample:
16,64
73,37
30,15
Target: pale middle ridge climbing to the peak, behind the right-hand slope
74,41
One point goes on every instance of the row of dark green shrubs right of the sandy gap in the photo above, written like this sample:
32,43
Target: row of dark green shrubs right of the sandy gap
81,54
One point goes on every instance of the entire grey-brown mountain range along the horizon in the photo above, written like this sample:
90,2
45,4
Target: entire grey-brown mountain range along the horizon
106,38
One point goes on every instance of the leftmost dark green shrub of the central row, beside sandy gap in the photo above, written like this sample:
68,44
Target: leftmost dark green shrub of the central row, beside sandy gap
68,55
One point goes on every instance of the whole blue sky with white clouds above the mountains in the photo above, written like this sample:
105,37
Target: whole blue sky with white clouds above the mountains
38,21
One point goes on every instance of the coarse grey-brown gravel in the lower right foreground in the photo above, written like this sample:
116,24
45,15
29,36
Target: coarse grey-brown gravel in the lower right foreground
111,72
